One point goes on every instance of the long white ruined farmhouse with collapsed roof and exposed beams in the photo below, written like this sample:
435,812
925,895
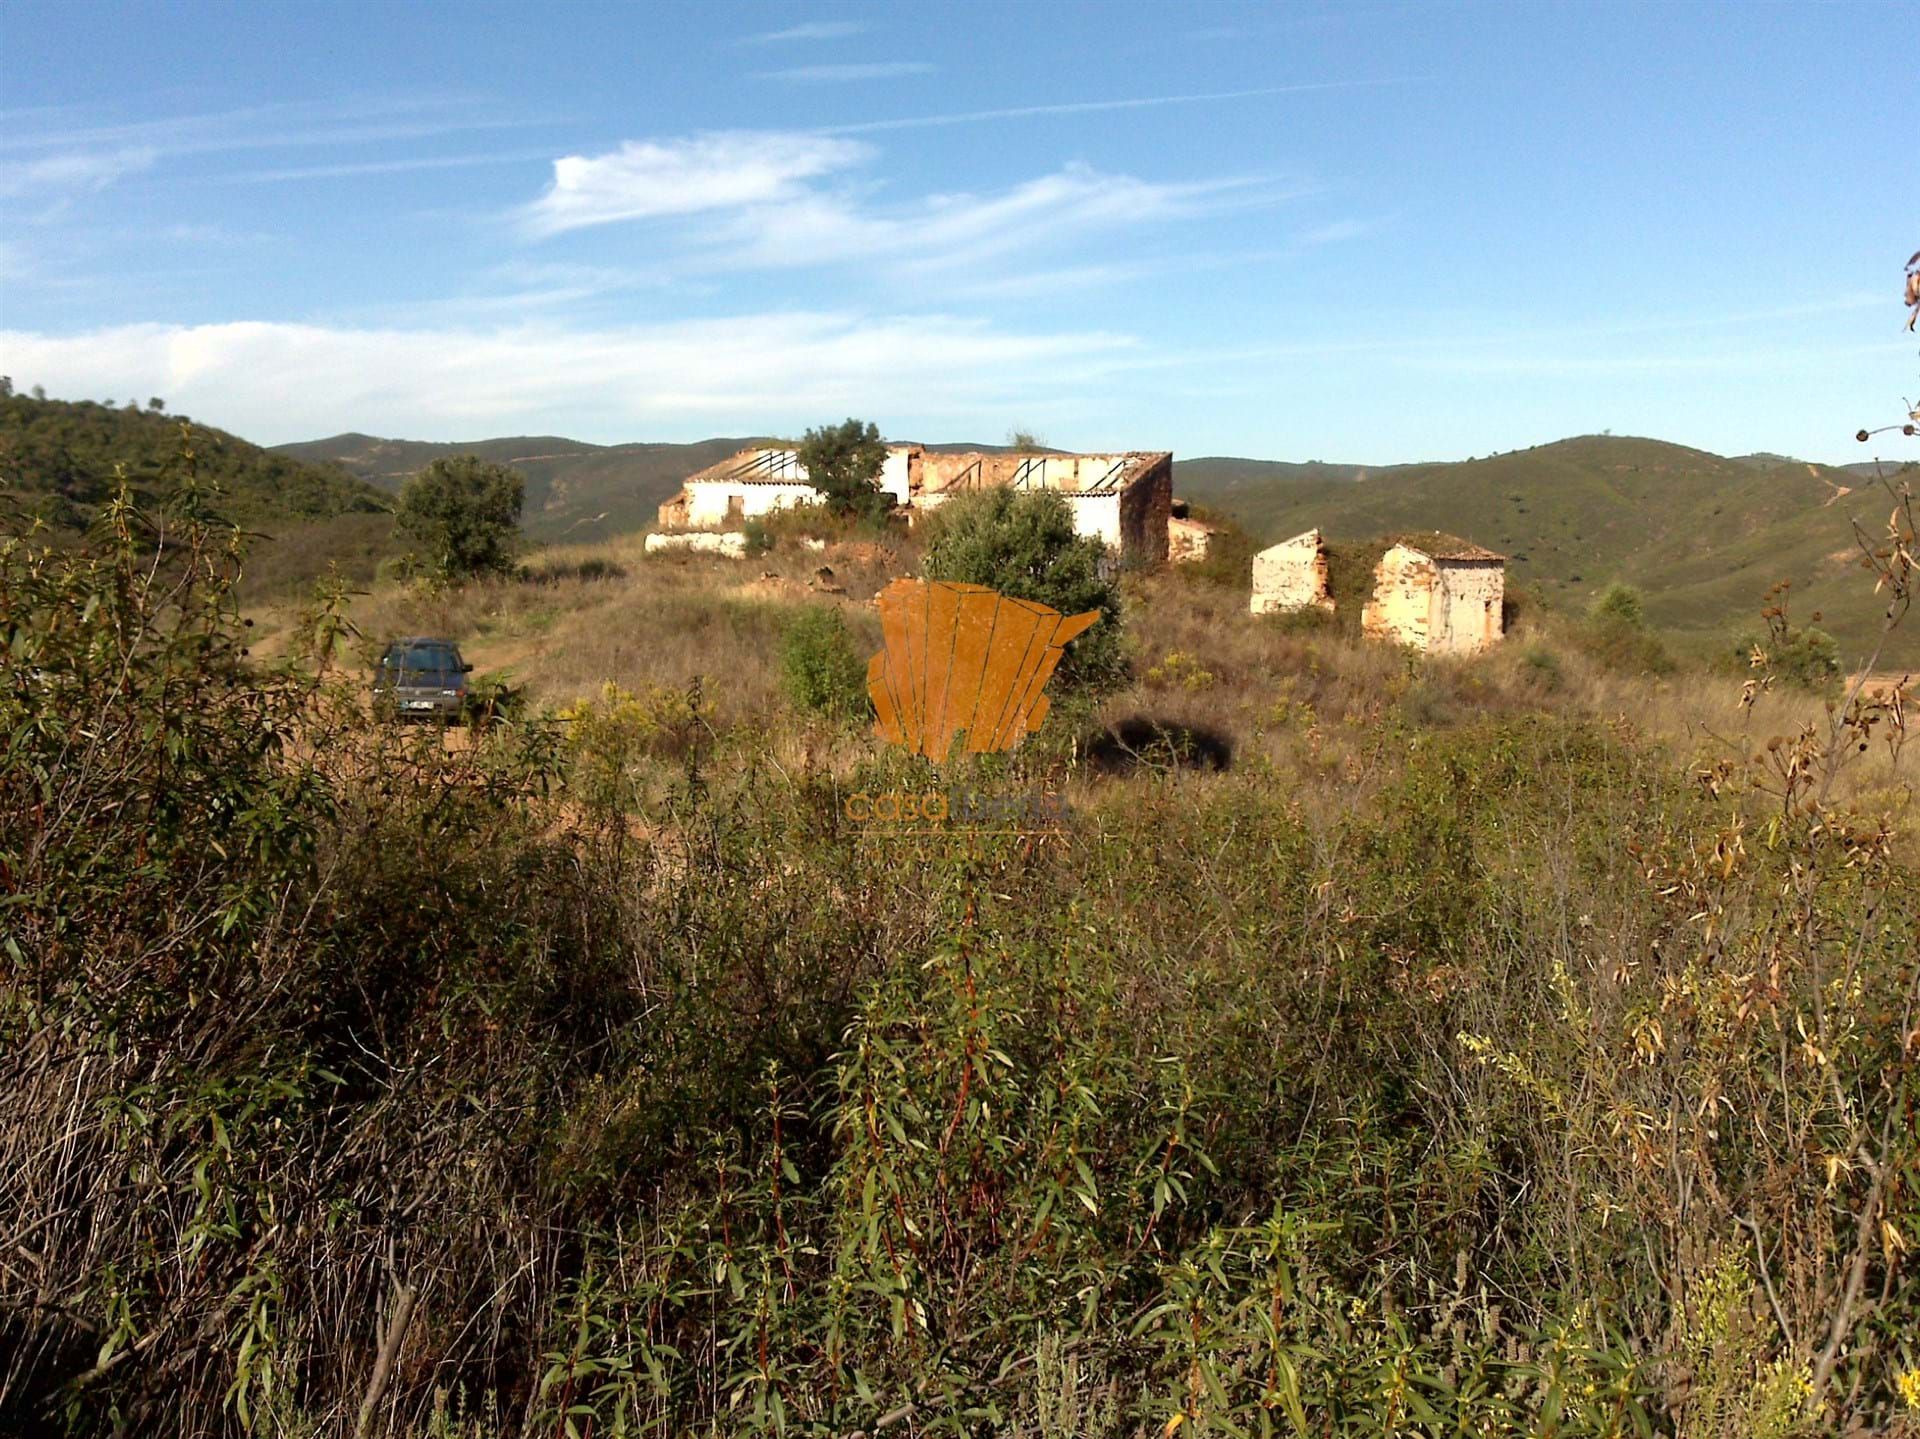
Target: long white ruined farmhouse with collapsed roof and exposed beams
1126,500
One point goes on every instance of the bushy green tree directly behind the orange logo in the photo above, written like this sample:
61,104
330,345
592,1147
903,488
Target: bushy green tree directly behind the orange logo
1022,545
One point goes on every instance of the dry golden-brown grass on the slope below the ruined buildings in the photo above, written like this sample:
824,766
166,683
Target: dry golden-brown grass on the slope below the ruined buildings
1307,704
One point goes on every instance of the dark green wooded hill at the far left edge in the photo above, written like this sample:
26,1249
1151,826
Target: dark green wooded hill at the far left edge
59,460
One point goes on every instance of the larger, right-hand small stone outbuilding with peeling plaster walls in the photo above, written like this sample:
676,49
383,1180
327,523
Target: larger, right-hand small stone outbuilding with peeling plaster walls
1439,595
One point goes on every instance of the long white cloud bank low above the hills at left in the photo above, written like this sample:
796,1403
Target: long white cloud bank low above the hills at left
276,383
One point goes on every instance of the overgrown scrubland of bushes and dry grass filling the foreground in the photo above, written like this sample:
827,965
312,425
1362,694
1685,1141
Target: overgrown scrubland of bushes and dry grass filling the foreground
1520,1046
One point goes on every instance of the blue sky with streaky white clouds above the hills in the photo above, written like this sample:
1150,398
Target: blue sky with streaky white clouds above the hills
1364,233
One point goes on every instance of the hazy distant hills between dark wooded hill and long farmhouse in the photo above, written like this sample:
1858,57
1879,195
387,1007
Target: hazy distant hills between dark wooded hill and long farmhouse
575,491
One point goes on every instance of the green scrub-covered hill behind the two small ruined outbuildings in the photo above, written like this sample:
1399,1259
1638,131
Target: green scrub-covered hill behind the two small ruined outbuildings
1702,535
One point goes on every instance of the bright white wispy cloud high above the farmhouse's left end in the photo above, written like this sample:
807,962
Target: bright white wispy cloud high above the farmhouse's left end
648,180
